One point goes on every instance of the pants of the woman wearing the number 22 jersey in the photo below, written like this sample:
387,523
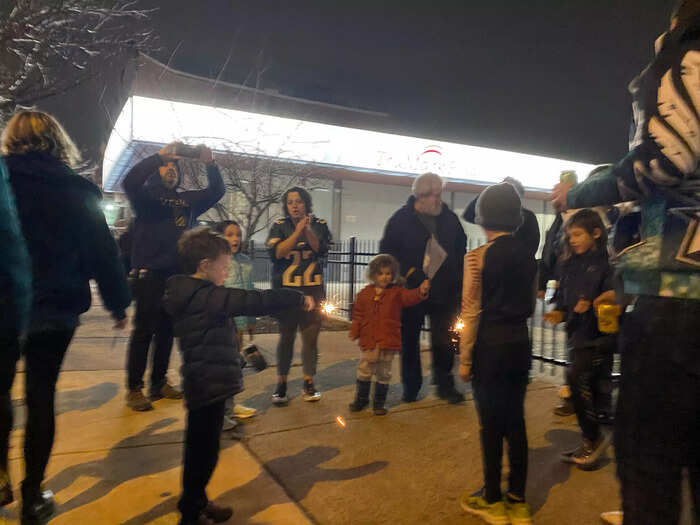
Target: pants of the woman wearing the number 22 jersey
309,323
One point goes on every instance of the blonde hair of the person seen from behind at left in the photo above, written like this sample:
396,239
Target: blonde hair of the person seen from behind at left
30,131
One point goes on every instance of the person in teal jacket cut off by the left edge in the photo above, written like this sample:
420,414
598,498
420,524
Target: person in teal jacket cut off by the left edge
15,304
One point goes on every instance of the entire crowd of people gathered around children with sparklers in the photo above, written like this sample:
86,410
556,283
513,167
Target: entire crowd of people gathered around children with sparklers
195,284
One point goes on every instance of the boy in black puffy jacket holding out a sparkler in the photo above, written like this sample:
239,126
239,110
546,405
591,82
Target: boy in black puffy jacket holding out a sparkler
203,312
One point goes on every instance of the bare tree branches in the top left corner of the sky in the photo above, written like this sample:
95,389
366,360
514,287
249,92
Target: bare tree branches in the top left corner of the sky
49,47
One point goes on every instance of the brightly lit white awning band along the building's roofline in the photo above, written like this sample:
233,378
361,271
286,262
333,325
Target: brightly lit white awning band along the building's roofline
152,121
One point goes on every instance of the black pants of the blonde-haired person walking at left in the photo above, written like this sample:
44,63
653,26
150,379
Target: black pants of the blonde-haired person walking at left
43,354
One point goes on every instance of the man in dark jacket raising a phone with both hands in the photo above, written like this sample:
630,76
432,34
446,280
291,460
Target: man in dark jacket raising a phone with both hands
162,214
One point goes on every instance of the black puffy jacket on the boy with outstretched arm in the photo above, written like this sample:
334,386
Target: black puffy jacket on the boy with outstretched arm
203,314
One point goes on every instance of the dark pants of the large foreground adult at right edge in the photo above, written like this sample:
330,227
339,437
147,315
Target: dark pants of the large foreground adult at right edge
657,427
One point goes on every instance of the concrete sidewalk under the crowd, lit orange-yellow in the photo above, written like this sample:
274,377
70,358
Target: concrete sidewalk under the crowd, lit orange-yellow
297,464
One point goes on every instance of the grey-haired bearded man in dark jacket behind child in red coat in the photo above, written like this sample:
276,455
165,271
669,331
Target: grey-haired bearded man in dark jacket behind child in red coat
405,237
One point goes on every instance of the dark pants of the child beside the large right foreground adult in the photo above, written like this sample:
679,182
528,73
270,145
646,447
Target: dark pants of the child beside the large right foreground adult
589,376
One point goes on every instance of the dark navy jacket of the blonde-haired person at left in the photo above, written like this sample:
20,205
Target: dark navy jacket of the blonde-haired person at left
68,240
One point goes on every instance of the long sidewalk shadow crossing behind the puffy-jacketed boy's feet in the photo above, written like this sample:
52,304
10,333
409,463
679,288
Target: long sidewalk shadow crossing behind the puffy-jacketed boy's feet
297,473
